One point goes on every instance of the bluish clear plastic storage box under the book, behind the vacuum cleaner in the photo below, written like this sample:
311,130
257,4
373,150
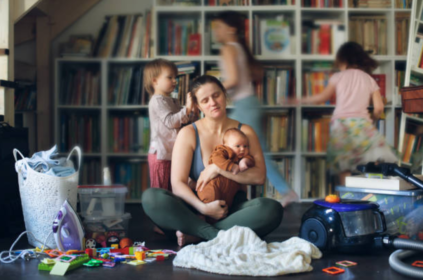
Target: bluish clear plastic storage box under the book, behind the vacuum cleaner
403,210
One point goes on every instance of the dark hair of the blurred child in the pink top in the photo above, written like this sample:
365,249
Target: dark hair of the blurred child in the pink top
354,56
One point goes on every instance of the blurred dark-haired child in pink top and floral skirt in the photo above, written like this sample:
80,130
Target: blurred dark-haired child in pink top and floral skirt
354,139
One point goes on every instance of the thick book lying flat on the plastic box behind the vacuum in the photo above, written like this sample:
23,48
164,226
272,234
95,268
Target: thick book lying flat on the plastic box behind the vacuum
390,183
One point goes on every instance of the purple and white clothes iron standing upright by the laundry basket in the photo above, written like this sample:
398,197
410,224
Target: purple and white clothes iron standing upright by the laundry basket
67,229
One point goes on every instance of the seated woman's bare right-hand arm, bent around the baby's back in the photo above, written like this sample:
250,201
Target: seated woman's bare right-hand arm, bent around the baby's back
253,176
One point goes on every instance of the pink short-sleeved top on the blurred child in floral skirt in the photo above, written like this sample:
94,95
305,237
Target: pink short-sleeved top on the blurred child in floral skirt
354,89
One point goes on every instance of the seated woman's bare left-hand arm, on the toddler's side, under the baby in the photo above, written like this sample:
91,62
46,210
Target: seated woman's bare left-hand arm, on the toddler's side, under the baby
183,151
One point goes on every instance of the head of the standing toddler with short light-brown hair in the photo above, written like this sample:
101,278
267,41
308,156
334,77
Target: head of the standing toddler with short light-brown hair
160,74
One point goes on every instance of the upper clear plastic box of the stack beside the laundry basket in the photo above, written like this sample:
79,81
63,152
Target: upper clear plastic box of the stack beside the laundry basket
102,201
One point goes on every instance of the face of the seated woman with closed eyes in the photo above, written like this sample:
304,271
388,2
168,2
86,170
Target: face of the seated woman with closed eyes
211,100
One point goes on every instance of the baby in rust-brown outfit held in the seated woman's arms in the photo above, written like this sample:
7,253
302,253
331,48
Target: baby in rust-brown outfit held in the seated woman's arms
233,156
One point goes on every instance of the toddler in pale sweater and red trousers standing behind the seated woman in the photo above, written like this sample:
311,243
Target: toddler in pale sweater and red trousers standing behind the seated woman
166,118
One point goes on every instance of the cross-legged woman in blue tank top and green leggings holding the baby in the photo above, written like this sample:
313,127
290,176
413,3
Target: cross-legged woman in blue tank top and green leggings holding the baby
178,211
